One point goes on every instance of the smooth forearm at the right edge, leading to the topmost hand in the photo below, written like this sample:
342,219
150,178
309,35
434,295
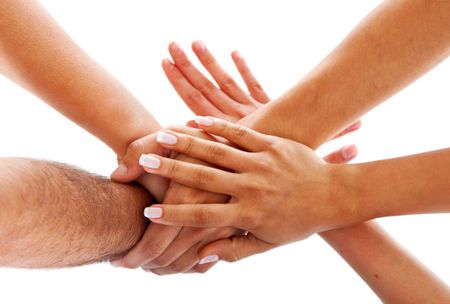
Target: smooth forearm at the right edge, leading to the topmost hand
406,185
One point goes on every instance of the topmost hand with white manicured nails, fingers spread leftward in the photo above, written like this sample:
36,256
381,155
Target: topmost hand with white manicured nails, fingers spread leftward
281,191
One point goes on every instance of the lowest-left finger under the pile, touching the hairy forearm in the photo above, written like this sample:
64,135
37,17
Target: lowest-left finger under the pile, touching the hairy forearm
153,243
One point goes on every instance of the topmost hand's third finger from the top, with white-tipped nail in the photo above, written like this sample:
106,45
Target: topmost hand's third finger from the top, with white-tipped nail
192,175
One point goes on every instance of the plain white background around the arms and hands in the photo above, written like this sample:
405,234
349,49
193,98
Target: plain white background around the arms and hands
282,40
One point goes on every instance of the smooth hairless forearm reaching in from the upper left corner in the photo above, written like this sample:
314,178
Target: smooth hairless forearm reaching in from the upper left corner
40,56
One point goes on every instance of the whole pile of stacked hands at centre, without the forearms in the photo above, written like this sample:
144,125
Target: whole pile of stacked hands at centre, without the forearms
170,249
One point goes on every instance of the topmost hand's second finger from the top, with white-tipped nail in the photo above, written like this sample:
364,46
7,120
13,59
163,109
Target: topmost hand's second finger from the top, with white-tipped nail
206,150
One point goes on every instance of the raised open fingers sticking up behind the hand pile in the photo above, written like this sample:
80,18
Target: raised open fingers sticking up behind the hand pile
228,101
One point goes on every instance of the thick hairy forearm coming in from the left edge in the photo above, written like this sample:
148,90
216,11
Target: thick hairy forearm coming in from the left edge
54,215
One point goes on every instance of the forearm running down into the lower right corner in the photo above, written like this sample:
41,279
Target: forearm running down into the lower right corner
393,274
